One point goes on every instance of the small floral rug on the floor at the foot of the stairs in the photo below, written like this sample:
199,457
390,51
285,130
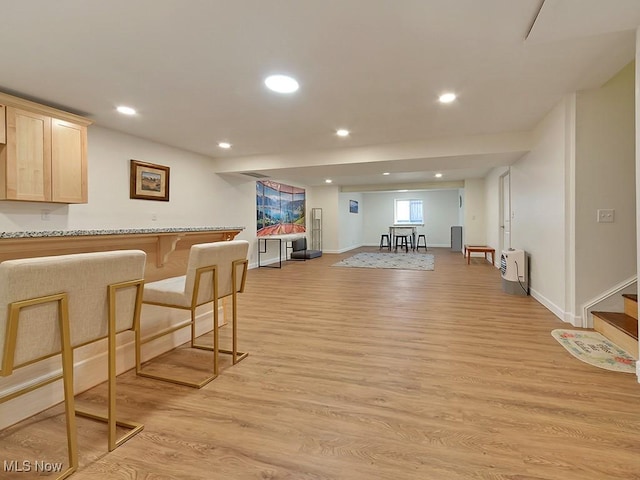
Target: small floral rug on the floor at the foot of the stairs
594,349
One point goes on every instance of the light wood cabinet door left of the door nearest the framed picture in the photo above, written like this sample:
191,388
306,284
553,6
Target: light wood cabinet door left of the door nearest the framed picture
28,167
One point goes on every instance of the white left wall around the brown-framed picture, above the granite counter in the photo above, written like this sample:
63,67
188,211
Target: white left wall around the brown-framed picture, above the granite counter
198,197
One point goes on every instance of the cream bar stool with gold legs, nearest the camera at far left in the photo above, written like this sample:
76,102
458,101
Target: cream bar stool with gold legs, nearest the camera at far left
54,304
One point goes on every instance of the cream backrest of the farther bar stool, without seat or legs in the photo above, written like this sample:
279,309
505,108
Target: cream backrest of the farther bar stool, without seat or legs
222,255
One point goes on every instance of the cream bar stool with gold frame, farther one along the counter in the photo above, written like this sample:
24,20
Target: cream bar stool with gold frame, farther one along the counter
214,271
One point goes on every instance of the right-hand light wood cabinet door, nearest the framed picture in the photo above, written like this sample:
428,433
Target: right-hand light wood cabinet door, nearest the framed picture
68,162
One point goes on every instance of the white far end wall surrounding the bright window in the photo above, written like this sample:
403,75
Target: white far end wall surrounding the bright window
440,209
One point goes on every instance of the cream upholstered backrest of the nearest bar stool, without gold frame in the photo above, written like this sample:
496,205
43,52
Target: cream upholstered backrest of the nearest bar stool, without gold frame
85,278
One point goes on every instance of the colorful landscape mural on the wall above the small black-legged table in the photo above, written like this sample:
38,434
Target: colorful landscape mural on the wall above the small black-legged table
280,208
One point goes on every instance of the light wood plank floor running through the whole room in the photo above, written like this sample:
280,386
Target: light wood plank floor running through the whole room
372,374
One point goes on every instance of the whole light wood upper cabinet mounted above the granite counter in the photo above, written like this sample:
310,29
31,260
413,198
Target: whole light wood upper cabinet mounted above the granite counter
45,155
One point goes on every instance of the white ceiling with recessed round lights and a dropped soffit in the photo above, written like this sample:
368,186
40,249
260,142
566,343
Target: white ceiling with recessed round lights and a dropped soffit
194,68
